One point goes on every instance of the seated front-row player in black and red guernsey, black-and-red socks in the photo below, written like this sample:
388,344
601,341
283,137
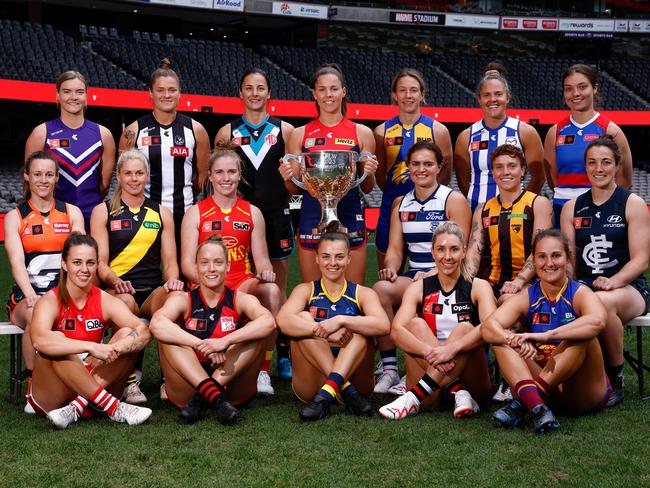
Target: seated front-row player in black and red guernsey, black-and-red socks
212,358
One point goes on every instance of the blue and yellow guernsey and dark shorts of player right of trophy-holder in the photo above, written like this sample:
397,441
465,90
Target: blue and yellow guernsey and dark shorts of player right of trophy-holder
398,139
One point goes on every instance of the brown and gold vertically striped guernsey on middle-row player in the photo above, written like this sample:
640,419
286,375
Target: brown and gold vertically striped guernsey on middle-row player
507,237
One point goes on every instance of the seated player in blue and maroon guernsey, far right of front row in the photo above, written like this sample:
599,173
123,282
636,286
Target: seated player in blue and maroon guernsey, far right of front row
557,358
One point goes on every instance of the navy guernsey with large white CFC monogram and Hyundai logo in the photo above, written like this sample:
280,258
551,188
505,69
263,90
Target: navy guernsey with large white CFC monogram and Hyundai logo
601,236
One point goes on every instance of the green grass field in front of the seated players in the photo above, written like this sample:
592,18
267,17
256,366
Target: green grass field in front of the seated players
271,447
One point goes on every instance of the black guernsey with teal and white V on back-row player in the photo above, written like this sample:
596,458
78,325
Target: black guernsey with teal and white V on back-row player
261,148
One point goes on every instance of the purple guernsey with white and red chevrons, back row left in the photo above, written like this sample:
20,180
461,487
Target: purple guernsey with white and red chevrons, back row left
79,153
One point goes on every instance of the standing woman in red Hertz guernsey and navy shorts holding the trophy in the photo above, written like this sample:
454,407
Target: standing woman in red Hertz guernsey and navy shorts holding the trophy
330,132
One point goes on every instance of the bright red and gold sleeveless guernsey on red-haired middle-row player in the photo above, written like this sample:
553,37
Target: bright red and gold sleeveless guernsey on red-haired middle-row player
236,227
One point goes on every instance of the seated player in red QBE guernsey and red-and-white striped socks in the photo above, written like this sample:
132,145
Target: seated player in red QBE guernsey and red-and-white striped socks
72,367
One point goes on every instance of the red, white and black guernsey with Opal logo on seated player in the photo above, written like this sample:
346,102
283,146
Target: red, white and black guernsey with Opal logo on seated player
443,311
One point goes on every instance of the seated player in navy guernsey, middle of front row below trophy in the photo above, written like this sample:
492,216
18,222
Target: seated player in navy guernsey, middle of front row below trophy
330,322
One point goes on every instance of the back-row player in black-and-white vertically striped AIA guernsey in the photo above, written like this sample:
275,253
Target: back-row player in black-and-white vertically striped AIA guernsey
176,146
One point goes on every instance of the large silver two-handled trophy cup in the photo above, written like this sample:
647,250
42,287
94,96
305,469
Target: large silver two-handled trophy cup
328,176
